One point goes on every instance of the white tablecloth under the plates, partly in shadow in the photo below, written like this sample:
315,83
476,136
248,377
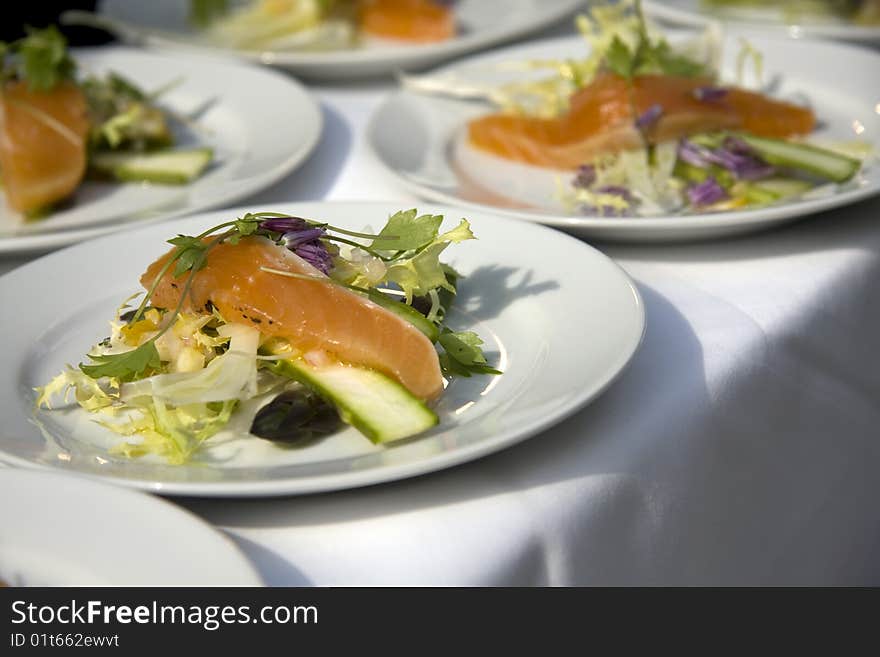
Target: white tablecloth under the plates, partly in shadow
742,445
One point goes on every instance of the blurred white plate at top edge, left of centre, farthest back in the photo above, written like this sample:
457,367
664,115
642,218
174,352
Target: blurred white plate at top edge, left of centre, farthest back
163,24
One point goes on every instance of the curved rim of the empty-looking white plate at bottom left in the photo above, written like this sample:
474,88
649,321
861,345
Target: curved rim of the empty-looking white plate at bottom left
246,571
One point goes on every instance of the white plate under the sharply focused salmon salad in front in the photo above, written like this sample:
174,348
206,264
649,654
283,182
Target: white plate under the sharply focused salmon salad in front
558,317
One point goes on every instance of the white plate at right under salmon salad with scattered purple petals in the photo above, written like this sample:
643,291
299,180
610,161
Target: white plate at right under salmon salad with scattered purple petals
420,140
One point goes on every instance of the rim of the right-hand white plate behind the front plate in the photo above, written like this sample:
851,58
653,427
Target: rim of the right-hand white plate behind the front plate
691,227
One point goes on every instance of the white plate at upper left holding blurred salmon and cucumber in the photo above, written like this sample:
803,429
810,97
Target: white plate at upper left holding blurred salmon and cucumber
261,125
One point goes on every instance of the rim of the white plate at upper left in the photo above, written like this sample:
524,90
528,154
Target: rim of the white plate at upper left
41,242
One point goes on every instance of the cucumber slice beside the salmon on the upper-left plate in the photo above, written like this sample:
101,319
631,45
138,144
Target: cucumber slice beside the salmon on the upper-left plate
162,167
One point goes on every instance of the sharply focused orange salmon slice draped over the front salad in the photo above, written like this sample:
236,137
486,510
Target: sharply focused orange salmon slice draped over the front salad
314,315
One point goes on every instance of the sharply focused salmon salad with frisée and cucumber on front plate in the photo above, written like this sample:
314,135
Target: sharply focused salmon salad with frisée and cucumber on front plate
298,325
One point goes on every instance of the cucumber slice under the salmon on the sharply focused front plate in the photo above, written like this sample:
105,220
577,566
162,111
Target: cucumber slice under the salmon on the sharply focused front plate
376,405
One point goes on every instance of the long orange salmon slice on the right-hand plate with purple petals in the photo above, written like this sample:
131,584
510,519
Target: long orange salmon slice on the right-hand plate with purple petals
602,119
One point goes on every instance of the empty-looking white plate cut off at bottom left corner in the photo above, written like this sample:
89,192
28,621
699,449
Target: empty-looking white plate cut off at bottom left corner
65,530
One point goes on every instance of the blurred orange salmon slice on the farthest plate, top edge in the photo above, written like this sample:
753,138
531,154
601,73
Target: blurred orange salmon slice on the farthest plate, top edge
419,21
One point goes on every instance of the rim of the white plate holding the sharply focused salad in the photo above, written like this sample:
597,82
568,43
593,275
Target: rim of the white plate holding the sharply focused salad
374,476
